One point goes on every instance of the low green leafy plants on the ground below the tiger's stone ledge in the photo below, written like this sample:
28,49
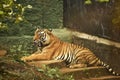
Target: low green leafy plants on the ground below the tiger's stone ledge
54,74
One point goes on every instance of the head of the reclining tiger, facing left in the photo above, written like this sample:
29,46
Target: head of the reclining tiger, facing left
42,37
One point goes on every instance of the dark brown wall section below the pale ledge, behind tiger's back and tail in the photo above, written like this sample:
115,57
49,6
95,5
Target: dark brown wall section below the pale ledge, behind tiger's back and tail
108,54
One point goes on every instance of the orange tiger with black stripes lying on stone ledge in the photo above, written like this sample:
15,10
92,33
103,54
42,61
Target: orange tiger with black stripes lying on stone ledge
51,47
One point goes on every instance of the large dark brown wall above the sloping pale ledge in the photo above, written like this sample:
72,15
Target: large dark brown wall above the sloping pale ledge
95,18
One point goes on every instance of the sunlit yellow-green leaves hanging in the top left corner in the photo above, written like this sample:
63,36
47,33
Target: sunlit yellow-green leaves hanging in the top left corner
11,12
